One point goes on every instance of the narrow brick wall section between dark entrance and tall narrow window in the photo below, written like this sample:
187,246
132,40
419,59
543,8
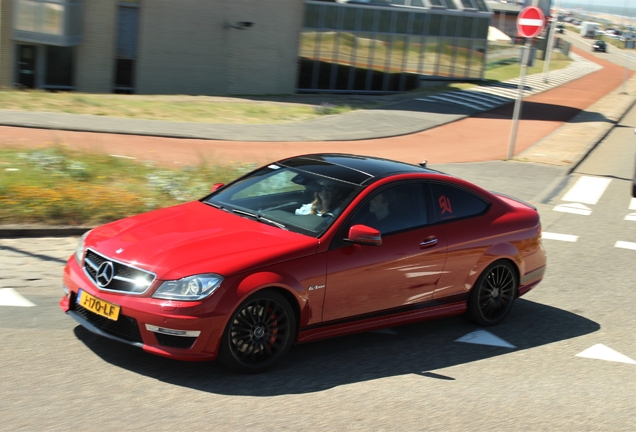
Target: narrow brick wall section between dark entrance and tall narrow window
95,65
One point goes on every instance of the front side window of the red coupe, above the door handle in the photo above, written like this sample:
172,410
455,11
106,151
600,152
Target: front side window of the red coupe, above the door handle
392,209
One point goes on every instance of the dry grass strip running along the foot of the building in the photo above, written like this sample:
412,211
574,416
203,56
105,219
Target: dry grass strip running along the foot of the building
206,109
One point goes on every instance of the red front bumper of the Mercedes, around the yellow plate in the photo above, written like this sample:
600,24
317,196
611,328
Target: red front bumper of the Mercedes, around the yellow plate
178,330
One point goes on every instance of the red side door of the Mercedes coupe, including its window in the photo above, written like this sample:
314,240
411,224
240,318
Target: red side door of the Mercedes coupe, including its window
398,275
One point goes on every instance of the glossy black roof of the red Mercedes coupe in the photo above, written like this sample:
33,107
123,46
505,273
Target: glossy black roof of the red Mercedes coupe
360,170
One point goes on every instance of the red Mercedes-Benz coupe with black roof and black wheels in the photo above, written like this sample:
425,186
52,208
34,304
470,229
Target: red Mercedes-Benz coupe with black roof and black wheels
305,248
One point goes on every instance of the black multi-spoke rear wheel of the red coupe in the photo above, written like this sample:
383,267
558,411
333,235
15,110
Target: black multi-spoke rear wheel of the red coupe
492,296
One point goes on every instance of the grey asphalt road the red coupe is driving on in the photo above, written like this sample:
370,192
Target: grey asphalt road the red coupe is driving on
57,376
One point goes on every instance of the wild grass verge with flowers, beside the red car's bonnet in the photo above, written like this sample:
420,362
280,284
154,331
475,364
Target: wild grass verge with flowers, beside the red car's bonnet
58,186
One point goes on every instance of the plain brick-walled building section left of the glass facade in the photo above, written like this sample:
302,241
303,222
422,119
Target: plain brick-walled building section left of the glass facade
207,47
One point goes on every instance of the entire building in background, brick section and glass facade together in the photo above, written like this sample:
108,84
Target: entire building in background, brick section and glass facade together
233,47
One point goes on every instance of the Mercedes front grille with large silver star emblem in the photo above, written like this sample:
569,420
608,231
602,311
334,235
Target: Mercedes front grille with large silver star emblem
125,278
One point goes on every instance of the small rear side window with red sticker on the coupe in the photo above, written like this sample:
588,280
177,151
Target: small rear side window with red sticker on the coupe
450,202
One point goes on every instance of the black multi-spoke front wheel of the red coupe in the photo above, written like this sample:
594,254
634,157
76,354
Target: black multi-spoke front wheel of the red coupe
259,333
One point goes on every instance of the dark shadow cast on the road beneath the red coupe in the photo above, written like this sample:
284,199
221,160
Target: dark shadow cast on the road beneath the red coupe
419,349
